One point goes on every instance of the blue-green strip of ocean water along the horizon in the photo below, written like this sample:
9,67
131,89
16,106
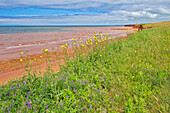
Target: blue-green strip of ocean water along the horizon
30,29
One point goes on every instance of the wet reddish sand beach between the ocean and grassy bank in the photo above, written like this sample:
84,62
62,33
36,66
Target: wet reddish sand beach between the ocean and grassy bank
12,44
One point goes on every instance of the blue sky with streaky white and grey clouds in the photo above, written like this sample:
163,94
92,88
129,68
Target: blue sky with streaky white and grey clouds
83,12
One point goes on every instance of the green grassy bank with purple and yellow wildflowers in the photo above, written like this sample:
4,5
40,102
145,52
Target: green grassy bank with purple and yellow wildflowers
129,75
